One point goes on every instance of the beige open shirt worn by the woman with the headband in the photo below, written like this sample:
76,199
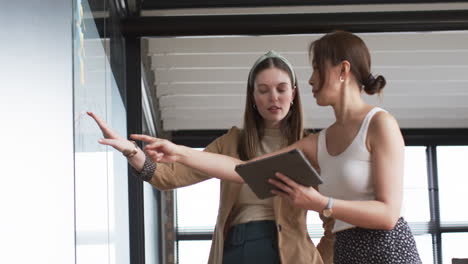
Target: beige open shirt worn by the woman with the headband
295,245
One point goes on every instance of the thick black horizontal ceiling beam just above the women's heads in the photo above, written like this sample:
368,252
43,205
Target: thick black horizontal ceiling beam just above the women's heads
295,23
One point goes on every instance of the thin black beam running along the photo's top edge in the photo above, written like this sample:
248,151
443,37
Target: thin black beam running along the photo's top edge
173,4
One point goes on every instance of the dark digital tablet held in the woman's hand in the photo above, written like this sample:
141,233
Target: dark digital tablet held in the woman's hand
292,164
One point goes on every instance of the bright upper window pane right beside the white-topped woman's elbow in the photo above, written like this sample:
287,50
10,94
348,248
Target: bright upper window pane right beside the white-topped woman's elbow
415,188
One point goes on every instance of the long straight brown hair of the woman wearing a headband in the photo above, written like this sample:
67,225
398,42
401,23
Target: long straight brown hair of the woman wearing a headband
292,126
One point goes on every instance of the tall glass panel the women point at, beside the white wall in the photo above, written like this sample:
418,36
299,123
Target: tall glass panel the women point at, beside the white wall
101,191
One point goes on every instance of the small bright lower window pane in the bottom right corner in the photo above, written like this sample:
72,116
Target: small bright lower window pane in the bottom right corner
454,245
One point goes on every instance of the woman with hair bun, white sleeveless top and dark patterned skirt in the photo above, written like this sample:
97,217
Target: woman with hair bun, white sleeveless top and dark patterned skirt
360,158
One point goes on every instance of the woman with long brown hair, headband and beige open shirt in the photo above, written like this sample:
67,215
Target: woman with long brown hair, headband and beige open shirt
248,230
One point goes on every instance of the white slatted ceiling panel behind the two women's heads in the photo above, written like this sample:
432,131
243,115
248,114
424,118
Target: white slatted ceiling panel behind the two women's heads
200,82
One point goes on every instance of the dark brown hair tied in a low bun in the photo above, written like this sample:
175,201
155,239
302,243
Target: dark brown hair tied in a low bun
338,46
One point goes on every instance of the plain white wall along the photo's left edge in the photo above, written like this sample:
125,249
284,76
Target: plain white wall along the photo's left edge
36,135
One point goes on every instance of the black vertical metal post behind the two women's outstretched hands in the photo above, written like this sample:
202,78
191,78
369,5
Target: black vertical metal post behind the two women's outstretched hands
125,63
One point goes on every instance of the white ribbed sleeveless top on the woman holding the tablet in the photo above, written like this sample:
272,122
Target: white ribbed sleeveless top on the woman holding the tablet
347,176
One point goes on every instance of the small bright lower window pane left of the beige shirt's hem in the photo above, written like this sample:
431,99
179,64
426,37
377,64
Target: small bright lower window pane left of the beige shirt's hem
194,251
